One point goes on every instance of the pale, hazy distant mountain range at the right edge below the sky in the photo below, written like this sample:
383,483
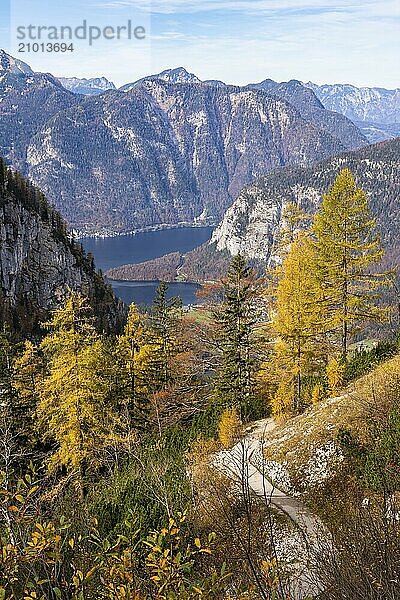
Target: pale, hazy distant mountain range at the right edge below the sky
375,110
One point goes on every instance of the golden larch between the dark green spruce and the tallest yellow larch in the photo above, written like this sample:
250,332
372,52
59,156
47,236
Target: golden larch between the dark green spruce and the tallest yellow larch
298,318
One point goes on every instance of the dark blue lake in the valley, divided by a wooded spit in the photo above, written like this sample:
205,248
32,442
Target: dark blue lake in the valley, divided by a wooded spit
131,249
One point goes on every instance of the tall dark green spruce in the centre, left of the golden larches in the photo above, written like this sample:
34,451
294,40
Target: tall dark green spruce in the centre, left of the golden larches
236,322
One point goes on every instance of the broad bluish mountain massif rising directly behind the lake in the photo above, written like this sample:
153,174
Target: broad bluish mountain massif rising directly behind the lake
171,149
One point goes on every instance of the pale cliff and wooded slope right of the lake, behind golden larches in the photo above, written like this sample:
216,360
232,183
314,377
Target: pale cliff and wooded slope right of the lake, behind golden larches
251,225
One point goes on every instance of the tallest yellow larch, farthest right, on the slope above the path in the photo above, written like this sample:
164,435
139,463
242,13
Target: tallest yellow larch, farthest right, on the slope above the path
348,247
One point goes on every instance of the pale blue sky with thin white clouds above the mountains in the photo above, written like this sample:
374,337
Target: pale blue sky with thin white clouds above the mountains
237,41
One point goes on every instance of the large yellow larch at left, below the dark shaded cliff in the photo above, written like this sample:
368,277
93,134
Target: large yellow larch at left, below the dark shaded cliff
74,409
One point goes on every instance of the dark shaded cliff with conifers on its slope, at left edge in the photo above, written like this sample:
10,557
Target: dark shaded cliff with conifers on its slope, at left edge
39,263
